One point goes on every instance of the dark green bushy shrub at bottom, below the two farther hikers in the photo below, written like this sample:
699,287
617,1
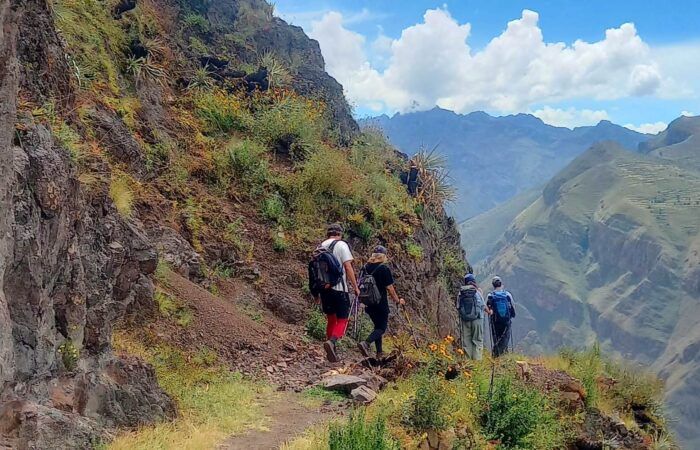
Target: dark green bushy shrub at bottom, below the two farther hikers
519,416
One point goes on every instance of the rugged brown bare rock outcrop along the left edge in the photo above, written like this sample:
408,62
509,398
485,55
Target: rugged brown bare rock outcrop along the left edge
70,266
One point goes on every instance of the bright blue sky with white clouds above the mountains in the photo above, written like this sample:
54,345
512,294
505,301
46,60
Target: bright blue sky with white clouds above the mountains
510,56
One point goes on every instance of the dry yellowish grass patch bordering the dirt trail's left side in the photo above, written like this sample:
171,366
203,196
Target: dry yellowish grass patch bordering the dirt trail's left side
213,402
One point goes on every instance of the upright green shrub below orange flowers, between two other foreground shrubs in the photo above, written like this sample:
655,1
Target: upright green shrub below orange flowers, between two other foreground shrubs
428,409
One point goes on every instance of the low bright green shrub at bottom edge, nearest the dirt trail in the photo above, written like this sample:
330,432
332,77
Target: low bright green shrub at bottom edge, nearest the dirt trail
361,434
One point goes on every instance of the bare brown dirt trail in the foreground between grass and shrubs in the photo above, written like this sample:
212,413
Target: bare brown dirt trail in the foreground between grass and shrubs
289,418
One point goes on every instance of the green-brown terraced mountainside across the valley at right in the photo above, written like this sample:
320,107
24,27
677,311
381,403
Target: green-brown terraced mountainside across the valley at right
609,252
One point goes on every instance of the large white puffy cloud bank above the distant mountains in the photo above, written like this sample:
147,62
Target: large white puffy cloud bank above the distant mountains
431,64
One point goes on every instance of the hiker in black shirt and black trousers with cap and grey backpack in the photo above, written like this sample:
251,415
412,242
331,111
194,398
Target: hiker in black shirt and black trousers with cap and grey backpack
379,313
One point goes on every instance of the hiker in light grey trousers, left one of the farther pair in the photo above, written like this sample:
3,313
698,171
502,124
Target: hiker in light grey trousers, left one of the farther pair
471,307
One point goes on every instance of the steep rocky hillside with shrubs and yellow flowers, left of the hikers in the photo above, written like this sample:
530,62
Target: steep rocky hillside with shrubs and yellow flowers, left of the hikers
201,142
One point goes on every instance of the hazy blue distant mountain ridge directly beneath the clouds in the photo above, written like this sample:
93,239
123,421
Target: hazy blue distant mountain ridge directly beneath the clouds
492,159
